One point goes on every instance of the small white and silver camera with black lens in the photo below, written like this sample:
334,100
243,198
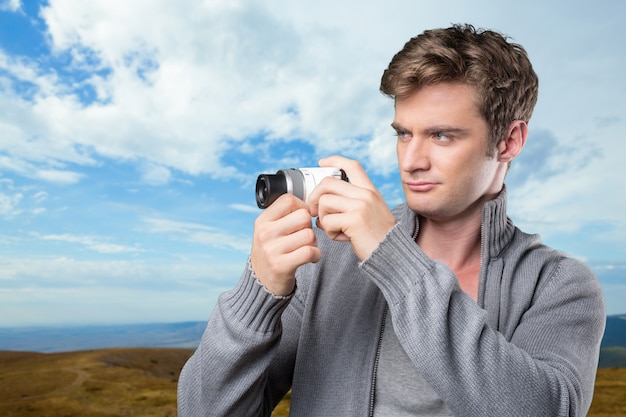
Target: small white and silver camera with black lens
299,182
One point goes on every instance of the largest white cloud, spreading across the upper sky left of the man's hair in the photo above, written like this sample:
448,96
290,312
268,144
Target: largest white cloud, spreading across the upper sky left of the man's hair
179,86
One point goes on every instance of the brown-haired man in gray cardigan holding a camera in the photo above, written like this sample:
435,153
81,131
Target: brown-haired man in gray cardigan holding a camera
441,307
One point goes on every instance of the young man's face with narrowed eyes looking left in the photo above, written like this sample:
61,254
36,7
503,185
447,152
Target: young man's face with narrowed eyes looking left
442,152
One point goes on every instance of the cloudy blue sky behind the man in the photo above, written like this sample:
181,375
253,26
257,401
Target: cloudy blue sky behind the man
132,133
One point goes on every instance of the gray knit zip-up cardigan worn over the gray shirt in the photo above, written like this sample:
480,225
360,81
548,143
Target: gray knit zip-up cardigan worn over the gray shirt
528,347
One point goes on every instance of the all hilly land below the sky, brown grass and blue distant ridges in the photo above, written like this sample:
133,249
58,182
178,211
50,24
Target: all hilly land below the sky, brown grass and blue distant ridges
71,379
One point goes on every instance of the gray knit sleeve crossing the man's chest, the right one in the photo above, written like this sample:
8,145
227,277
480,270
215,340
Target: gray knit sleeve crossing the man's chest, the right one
545,365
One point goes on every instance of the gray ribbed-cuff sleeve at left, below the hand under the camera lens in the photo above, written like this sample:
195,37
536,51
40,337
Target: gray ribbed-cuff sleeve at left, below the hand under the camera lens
243,365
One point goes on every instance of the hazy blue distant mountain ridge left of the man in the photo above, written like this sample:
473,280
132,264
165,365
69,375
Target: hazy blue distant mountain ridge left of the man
64,339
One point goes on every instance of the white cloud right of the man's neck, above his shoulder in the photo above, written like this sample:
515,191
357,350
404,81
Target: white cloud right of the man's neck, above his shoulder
577,186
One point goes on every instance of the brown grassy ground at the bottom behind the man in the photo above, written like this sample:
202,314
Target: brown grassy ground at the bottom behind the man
141,382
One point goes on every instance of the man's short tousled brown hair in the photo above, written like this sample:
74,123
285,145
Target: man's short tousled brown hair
499,71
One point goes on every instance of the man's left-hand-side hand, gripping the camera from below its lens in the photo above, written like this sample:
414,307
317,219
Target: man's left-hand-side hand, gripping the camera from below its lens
283,240
